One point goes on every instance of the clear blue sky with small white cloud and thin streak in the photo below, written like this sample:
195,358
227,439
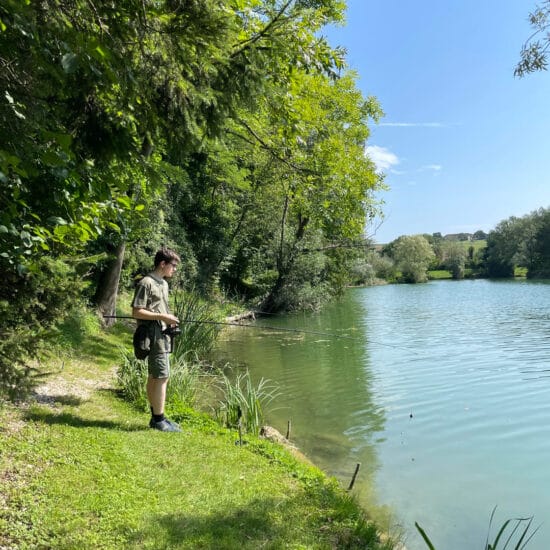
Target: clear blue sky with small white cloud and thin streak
464,144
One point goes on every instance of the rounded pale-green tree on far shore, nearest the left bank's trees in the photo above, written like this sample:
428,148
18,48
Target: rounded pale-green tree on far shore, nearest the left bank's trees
412,255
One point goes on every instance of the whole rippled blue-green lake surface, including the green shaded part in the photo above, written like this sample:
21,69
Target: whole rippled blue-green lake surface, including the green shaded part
441,391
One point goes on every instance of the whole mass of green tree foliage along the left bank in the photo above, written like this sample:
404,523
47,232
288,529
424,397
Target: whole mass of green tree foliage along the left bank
229,130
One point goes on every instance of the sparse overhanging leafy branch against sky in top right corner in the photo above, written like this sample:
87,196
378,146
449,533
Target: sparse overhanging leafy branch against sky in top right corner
534,52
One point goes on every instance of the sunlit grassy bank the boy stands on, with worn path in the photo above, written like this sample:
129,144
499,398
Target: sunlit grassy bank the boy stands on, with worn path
80,469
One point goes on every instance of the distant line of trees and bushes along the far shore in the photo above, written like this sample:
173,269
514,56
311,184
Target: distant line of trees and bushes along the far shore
515,246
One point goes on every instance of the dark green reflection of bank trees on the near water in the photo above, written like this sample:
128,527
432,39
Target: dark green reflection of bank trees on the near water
325,382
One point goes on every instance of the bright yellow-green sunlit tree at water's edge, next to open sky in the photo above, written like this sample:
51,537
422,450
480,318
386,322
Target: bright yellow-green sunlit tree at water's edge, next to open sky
323,184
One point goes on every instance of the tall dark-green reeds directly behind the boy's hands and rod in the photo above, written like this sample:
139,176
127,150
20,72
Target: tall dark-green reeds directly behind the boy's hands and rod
198,325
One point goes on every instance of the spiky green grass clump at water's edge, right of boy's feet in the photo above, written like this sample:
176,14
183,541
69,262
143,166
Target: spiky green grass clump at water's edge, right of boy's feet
242,404
